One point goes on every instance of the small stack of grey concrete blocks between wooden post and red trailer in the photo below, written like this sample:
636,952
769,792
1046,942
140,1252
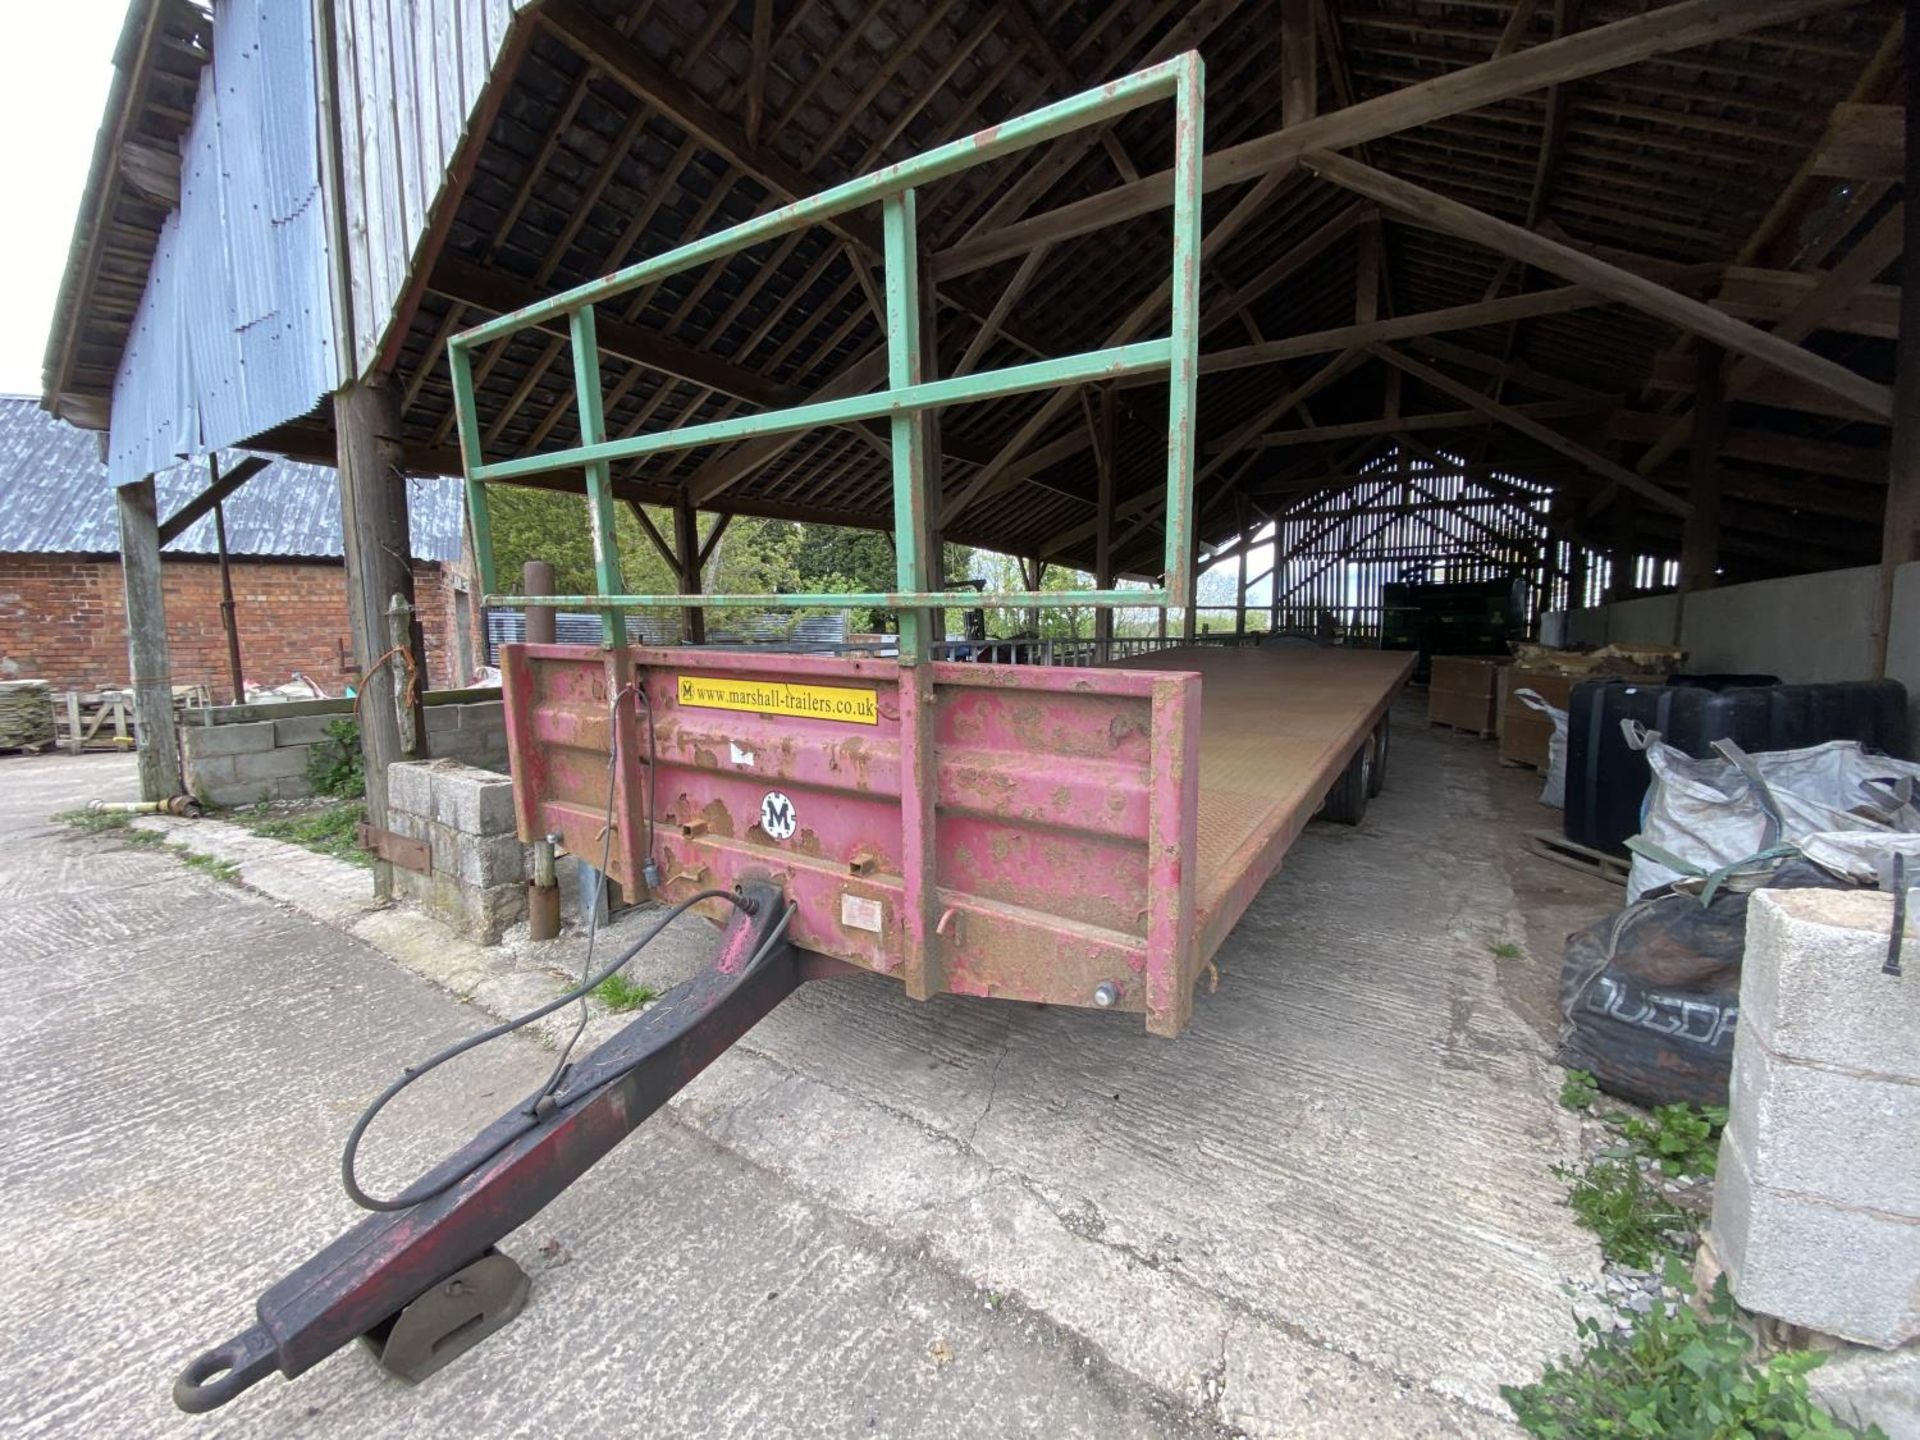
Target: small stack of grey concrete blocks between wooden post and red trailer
477,878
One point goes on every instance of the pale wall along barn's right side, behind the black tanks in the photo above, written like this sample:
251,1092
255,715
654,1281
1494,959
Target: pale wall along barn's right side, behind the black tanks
1808,629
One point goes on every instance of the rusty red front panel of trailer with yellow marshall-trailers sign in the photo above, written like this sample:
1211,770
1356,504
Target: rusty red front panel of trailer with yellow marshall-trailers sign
1065,805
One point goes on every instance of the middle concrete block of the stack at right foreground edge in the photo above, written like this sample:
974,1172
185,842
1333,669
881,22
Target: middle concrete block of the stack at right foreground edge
1827,1134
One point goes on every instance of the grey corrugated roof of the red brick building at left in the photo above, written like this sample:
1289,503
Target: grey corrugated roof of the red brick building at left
57,500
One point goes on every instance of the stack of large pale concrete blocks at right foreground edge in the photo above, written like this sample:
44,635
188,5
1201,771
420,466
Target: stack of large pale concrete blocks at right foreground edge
1817,1207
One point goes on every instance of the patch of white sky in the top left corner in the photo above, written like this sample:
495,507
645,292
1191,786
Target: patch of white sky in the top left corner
55,72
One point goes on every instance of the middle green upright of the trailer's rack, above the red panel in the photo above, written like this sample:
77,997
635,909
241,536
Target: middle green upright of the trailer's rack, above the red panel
913,525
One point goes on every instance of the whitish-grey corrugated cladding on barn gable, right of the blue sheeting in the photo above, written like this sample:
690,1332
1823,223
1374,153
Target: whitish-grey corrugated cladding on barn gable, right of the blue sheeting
410,78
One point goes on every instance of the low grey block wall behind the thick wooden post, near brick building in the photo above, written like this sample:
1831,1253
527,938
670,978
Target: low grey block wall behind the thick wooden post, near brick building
264,757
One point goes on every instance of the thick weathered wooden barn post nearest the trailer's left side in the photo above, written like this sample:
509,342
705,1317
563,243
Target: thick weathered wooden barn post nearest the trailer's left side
373,521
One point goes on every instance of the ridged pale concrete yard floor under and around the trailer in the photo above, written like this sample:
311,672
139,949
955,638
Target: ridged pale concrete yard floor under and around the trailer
1326,1209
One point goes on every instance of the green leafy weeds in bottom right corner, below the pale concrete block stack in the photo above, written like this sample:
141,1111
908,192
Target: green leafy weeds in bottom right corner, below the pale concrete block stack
1677,1376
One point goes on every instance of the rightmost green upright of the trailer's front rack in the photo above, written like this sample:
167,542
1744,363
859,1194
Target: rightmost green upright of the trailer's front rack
1184,373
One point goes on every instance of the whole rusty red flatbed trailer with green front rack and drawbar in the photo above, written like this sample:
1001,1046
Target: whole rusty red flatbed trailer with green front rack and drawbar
1068,836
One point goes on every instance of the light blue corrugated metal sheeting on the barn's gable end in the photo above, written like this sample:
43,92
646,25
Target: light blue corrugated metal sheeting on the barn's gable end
235,331
